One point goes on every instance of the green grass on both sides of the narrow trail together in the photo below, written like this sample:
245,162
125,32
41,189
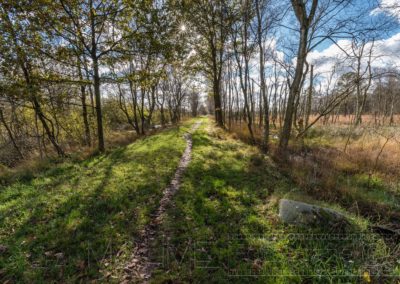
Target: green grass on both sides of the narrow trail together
76,221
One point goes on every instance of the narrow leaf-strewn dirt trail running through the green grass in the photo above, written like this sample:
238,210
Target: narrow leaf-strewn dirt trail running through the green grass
139,268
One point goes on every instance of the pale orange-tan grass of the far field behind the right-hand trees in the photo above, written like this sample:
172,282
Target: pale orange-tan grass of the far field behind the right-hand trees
367,147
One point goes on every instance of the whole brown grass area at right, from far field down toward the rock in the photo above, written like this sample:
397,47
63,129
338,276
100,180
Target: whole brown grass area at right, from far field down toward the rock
320,166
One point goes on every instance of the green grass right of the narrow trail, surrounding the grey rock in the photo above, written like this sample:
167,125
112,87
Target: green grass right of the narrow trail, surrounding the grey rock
224,226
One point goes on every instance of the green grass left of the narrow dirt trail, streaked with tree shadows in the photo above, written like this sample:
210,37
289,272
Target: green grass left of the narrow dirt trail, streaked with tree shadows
69,222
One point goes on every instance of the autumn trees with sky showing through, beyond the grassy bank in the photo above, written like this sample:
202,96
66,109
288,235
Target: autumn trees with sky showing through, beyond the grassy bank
73,73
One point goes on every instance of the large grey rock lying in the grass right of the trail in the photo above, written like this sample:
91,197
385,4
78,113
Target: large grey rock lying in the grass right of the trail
300,213
